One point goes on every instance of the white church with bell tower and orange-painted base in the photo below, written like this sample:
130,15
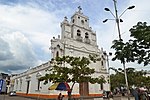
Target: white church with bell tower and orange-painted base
77,39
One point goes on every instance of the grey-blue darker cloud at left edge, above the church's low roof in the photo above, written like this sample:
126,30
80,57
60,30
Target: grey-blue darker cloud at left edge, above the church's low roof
18,49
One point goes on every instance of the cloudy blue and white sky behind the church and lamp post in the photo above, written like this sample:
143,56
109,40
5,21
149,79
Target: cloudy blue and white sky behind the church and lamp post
26,27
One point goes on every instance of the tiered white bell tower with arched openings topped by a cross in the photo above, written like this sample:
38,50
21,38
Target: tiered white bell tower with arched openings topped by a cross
80,28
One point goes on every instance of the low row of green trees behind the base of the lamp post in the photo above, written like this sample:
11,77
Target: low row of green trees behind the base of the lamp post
136,78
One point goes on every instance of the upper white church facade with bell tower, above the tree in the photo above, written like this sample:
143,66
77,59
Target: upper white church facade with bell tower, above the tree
78,39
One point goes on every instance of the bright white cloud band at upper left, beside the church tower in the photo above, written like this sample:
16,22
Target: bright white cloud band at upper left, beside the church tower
38,25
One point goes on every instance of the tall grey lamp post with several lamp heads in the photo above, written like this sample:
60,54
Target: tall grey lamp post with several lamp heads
118,20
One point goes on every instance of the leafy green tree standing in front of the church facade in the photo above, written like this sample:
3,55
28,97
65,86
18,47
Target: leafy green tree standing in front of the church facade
77,71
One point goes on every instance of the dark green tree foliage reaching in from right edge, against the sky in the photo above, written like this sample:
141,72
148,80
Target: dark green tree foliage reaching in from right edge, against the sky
137,48
